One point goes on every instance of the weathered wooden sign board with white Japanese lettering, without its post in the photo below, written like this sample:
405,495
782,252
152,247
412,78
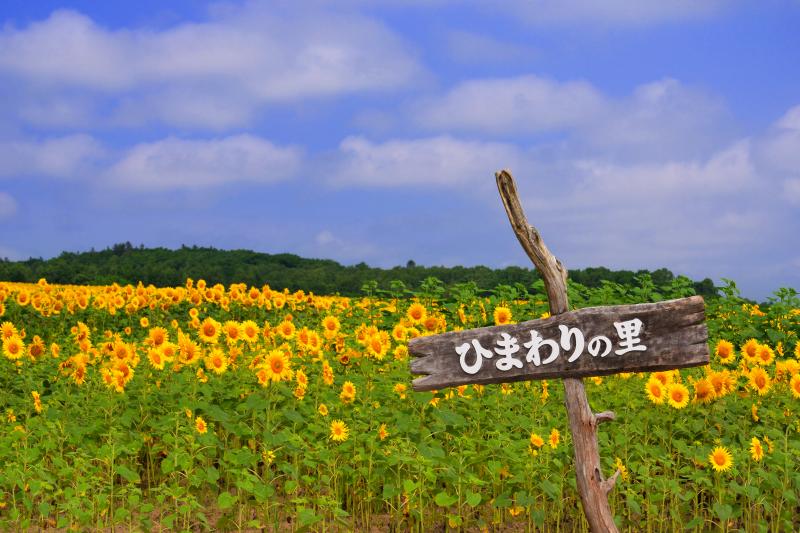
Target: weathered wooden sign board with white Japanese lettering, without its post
594,341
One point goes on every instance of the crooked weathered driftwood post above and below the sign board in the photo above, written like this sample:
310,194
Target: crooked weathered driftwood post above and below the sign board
592,486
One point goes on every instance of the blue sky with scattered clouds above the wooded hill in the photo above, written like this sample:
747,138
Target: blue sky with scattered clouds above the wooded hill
642,134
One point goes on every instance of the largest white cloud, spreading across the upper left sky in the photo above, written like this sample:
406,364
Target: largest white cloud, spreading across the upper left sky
216,72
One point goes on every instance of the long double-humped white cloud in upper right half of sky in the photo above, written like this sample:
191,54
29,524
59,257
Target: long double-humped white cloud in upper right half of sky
663,119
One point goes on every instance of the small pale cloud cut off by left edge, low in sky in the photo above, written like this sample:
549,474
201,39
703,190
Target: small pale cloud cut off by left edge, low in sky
72,156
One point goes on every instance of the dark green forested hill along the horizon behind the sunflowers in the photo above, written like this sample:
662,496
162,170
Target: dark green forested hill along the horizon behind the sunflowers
124,263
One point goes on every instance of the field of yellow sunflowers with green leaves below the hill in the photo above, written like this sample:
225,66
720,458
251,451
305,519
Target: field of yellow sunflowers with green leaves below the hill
250,408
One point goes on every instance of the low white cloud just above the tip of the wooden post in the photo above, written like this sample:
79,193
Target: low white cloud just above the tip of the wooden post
434,161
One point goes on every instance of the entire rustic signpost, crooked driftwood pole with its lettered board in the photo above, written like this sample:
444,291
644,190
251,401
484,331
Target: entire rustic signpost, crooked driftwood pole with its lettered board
570,345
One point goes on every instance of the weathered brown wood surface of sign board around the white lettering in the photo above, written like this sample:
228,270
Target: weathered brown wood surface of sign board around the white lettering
673,333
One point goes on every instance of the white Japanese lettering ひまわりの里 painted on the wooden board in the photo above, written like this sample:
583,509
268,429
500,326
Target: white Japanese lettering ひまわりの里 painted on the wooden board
543,351
